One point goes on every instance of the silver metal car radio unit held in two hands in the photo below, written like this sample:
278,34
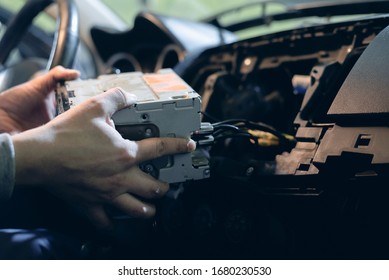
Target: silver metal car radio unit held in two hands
166,107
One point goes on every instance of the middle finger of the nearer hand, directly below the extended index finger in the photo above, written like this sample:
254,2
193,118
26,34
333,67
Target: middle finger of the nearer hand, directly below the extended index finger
143,184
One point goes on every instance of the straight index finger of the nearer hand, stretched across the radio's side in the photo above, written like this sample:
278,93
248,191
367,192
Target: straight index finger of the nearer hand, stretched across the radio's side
151,148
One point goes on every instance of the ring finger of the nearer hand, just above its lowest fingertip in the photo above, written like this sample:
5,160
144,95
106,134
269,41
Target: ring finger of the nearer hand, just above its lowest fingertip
133,206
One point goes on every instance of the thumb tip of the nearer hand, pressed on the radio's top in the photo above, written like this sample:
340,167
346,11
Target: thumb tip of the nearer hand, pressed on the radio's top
115,99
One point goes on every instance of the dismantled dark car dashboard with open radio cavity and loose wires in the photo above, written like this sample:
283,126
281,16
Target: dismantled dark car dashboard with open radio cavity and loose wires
299,162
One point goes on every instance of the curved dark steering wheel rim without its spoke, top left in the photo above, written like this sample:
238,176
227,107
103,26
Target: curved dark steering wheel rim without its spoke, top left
66,37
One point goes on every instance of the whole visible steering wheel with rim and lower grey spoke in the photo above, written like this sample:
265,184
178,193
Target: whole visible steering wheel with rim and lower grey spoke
64,45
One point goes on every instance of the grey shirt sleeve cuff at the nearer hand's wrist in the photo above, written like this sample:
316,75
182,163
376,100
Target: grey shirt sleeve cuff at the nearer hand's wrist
7,166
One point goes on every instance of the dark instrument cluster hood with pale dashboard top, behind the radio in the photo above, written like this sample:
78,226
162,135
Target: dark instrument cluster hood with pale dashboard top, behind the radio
155,42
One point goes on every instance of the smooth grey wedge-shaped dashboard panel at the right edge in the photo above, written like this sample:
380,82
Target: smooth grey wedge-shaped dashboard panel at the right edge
364,96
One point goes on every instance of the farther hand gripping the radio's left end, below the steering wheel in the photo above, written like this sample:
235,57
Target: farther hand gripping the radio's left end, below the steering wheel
31,104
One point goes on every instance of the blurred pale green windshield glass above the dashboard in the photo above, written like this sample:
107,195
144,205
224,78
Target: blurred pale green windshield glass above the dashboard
225,13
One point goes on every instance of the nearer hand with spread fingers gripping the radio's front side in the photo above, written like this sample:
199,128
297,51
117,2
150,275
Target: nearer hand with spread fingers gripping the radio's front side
80,157
